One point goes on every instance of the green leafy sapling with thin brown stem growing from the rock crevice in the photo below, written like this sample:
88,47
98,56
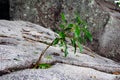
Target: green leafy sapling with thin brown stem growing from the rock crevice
77,32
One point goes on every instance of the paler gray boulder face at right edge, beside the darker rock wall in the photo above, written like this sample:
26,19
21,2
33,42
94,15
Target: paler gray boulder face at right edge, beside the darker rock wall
110,40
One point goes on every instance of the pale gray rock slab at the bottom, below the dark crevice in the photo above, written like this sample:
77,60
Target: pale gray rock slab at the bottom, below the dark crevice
60,72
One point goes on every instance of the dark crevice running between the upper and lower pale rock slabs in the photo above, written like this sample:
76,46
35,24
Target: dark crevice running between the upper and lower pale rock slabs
31,66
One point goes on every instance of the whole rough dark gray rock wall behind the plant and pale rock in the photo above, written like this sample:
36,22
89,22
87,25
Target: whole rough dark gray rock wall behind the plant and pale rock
103,25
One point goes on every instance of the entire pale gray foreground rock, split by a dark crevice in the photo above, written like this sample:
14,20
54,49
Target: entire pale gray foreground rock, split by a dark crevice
22,42
